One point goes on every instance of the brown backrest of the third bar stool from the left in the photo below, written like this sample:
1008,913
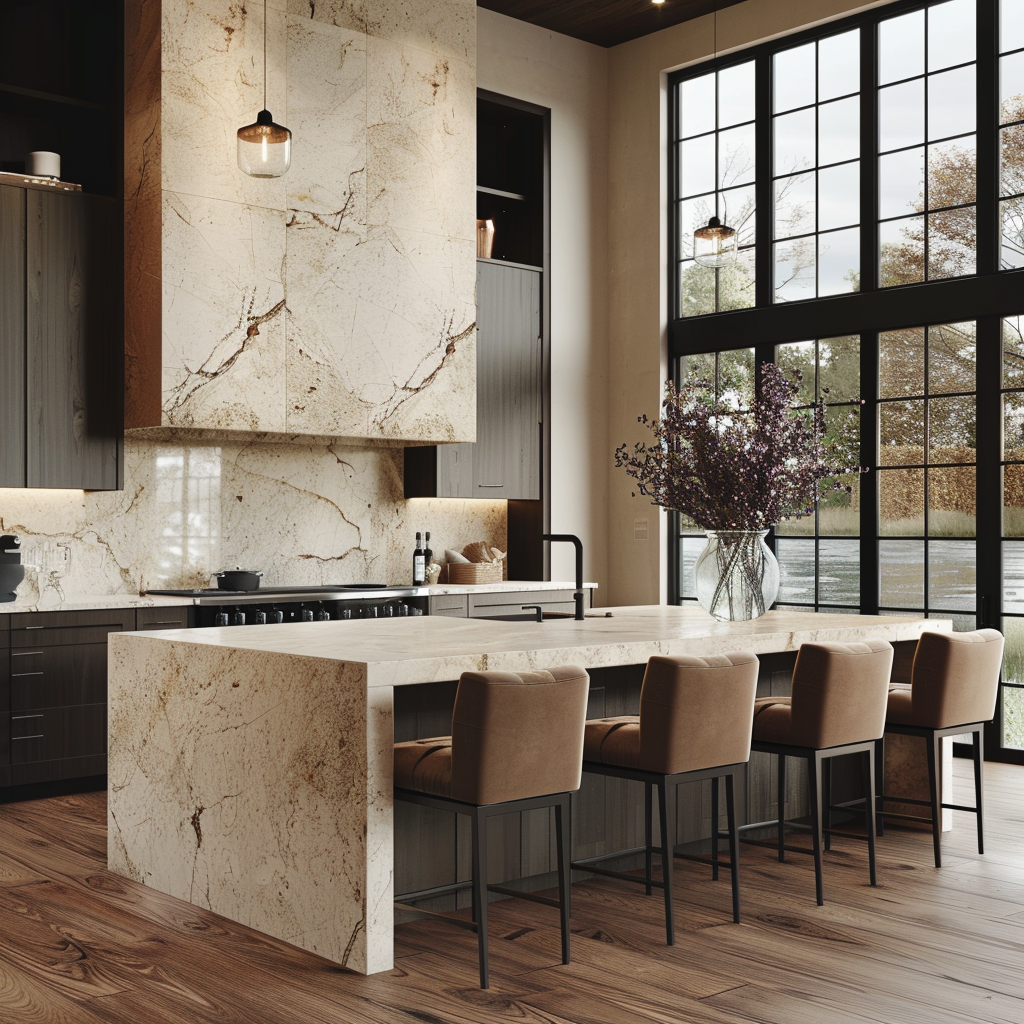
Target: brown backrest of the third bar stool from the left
840,692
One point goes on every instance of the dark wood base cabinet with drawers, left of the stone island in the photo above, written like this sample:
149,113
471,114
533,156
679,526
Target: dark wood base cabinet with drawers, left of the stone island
56,711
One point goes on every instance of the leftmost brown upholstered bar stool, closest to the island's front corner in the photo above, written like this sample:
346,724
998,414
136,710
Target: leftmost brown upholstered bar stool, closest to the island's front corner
517,745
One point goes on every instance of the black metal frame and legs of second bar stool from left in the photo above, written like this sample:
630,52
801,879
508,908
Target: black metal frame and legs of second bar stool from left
667,788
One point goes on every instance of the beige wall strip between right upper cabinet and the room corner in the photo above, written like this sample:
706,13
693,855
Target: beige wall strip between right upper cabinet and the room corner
570,77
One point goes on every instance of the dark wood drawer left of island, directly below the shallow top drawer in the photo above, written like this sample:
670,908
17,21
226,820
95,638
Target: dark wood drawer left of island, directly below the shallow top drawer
56,677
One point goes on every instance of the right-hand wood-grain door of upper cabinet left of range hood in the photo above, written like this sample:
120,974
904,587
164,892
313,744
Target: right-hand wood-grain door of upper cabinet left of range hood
74,332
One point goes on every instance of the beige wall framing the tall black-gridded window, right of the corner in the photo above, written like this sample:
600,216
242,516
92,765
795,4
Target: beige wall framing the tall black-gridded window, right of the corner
638,250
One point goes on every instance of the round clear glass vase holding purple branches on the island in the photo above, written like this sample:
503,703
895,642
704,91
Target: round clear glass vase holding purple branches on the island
737,576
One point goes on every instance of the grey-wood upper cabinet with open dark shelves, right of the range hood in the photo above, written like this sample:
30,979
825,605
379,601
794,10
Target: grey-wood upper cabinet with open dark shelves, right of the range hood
505,462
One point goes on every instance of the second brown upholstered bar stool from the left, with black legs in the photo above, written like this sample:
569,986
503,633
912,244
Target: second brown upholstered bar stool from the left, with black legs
695,723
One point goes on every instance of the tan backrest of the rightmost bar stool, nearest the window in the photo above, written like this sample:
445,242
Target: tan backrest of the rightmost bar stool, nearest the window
956,677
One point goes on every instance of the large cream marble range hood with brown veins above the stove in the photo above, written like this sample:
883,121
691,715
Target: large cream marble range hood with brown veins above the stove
337,302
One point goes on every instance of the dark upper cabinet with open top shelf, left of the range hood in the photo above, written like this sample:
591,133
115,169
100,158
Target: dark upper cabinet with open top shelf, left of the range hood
62,279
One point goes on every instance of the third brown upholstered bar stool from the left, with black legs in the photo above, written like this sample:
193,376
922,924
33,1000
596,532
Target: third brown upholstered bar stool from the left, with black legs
837,706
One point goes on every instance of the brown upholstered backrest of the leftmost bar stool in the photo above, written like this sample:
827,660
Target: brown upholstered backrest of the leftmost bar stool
519,735
